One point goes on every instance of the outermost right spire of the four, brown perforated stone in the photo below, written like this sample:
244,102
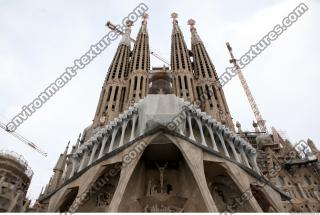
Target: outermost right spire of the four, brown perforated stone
208,90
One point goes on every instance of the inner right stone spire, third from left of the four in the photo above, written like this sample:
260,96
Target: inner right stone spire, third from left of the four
181,63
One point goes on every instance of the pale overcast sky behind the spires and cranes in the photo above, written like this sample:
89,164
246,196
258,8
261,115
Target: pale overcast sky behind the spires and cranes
39,39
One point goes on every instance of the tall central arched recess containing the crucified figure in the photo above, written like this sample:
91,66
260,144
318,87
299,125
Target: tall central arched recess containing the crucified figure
162,182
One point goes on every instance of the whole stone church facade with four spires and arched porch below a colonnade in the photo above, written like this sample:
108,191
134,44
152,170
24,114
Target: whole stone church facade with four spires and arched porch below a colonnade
153,148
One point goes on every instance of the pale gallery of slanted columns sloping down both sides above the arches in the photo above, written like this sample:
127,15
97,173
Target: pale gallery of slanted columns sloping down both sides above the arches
198,126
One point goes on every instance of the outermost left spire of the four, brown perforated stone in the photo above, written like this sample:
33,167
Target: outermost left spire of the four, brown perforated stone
113,91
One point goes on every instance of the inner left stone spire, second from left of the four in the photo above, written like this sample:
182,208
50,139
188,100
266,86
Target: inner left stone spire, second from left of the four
139,65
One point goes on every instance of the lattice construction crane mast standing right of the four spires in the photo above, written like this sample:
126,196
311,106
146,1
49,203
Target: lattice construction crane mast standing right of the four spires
261,123
